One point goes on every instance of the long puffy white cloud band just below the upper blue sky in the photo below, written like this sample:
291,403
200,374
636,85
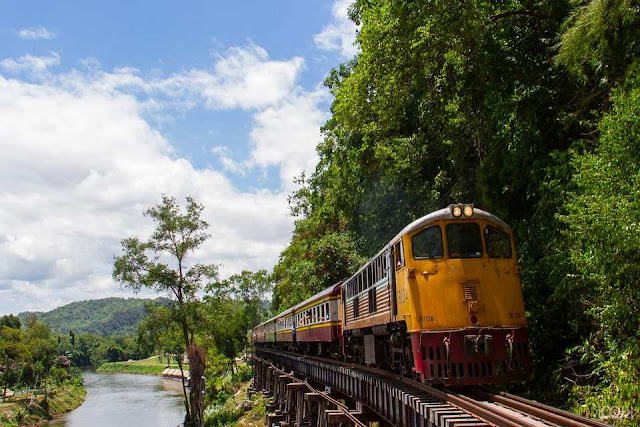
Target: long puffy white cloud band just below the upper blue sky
241,78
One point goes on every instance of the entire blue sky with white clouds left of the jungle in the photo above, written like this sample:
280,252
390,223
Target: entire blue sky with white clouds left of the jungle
105,106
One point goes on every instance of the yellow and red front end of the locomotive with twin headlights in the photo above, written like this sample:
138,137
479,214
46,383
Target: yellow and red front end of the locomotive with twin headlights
458,291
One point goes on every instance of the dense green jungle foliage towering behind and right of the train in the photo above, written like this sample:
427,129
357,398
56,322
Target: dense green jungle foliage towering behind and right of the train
528,109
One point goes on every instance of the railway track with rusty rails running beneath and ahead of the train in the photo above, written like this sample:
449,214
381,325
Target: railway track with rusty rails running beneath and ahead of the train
496,409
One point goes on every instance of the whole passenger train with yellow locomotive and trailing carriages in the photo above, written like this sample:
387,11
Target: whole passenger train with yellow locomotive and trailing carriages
440,303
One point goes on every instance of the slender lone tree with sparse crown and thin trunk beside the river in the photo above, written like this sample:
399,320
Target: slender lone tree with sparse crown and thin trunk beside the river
142,265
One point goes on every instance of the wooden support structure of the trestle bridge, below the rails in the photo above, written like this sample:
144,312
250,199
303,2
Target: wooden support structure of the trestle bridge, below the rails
368,397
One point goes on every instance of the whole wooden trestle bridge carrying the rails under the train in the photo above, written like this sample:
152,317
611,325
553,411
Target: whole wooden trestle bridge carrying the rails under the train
319,392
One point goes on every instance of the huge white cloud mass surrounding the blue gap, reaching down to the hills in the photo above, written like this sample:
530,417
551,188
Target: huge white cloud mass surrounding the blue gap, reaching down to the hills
81,162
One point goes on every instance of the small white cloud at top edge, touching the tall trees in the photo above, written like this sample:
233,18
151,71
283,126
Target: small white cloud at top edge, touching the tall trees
339,35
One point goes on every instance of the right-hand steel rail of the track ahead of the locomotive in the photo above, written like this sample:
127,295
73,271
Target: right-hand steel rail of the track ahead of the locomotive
536,409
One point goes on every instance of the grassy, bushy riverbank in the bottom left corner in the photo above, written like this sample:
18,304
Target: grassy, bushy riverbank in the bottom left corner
18,412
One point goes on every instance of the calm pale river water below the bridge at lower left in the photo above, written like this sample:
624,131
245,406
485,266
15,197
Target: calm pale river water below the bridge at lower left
127,400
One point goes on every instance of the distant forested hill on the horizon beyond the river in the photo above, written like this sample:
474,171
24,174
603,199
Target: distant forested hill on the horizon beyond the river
107,316
